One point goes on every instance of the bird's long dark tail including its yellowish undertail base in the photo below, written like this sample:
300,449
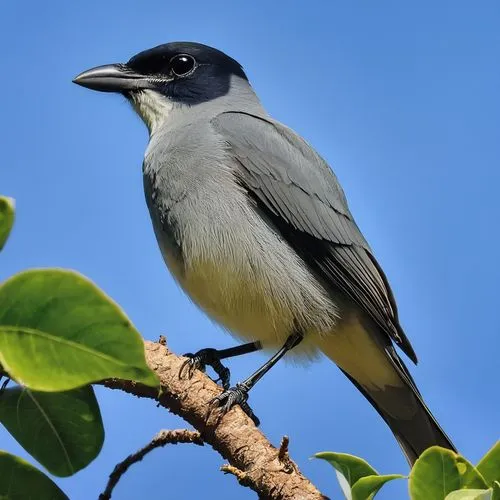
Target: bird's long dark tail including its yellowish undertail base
381,376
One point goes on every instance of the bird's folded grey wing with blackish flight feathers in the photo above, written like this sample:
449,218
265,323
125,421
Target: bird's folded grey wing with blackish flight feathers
298,191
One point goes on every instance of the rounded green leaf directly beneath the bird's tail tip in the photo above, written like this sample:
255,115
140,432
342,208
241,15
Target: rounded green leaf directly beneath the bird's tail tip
439,471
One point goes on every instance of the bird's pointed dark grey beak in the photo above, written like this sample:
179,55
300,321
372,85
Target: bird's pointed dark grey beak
112,78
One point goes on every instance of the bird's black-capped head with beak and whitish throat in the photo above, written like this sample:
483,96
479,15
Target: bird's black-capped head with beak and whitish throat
158,79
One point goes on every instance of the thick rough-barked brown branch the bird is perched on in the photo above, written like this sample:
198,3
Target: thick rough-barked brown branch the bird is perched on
252,458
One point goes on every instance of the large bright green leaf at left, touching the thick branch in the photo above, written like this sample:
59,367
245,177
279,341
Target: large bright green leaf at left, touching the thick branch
58,331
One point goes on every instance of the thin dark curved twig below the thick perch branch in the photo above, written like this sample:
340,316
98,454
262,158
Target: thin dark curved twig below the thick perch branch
161,439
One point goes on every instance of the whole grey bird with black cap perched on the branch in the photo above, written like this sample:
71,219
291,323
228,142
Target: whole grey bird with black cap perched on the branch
254,226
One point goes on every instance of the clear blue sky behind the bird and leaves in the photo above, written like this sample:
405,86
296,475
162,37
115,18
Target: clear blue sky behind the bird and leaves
401,98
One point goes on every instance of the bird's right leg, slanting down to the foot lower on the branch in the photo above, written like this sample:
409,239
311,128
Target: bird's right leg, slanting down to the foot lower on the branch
239,393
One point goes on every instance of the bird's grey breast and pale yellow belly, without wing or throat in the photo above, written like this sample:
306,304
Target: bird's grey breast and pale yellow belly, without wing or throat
229,261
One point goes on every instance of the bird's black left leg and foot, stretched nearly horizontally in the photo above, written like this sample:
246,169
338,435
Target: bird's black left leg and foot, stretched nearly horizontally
212,357
